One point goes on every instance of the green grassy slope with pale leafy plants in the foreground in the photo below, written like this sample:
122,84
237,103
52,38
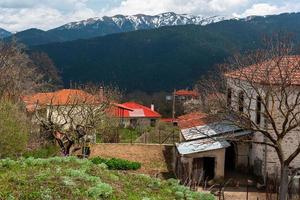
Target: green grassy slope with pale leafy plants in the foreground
72,178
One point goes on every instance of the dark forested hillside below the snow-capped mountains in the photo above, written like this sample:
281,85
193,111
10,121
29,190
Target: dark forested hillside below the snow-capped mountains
164,58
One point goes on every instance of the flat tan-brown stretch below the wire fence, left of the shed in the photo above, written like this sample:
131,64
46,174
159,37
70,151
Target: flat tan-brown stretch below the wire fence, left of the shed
156,159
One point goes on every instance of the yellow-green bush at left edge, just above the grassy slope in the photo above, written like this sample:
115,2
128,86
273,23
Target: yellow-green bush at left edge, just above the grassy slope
14,129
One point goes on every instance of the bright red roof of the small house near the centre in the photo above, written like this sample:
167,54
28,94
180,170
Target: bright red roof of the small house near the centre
139,111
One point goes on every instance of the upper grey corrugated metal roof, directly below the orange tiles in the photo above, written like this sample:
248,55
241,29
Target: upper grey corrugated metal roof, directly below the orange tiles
208,130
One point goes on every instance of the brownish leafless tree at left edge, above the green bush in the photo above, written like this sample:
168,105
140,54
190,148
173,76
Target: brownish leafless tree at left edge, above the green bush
17,74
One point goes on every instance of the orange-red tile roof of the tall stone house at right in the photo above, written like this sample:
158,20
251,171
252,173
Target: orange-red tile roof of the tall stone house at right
271,72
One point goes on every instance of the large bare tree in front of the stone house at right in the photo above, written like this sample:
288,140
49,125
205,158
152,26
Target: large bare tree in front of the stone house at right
263,95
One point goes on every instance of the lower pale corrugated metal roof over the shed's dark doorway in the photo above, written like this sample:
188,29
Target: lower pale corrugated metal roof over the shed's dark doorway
203,145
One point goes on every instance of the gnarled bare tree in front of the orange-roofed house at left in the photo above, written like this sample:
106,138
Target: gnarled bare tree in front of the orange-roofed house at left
72,117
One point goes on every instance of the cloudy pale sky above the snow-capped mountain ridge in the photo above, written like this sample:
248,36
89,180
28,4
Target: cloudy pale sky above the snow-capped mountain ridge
18,15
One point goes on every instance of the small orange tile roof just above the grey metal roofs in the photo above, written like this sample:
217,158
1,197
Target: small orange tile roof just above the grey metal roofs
193,119
